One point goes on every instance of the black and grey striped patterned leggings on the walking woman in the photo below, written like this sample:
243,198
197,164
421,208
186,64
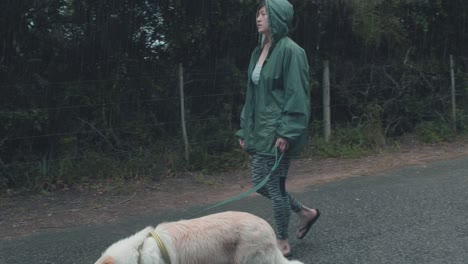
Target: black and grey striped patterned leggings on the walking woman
275,190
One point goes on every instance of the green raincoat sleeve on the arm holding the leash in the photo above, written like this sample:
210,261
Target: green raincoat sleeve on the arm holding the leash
296,108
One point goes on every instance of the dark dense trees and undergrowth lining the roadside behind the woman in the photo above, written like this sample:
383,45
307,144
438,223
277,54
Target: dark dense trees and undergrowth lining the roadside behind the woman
89,89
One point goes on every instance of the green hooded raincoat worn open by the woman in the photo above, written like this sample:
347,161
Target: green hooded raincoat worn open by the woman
279,106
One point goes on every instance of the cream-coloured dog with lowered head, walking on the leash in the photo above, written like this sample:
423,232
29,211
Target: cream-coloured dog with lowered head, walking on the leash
222,238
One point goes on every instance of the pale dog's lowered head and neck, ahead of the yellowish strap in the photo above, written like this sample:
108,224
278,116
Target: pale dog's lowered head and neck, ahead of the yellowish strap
125,251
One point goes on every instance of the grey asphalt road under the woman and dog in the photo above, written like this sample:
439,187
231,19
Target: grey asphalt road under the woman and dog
411,215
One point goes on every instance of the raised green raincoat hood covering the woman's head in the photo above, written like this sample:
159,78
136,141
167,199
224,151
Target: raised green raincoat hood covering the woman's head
280,17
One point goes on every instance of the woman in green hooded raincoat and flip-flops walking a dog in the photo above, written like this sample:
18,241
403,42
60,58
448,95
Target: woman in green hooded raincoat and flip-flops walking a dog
276,114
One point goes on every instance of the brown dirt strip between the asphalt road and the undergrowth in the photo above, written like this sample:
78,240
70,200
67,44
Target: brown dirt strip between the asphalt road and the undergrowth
23,215
